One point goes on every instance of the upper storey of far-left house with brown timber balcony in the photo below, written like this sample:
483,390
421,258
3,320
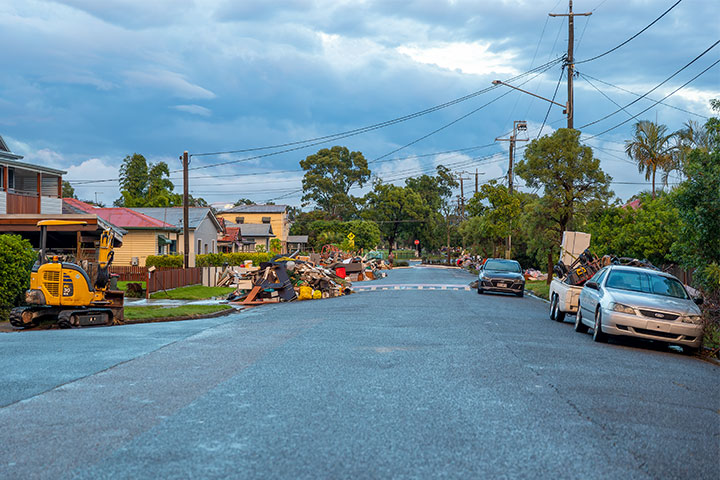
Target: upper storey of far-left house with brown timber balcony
27,188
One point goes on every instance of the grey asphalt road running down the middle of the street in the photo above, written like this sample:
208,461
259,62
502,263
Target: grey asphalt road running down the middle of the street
396,383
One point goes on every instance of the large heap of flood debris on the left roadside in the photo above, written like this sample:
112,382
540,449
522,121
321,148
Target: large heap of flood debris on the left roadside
286,278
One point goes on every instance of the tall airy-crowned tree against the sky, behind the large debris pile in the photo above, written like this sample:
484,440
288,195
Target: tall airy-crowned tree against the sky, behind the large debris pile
329,175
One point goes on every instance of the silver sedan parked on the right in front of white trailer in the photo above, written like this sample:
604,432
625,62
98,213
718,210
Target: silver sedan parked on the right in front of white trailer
639,302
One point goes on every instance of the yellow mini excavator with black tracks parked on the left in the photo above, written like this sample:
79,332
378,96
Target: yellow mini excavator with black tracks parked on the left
64,290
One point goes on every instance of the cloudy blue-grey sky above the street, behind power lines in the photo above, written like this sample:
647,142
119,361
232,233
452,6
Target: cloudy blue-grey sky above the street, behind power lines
86,82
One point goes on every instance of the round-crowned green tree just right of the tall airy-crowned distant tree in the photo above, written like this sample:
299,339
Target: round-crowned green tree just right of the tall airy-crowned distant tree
392,207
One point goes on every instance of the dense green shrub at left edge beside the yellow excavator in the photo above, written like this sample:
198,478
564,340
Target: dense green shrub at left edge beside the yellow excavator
16,259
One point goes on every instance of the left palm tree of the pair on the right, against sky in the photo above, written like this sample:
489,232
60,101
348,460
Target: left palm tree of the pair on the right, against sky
651,148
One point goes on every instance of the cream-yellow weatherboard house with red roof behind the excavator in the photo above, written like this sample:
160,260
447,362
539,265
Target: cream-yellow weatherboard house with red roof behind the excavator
145,235
